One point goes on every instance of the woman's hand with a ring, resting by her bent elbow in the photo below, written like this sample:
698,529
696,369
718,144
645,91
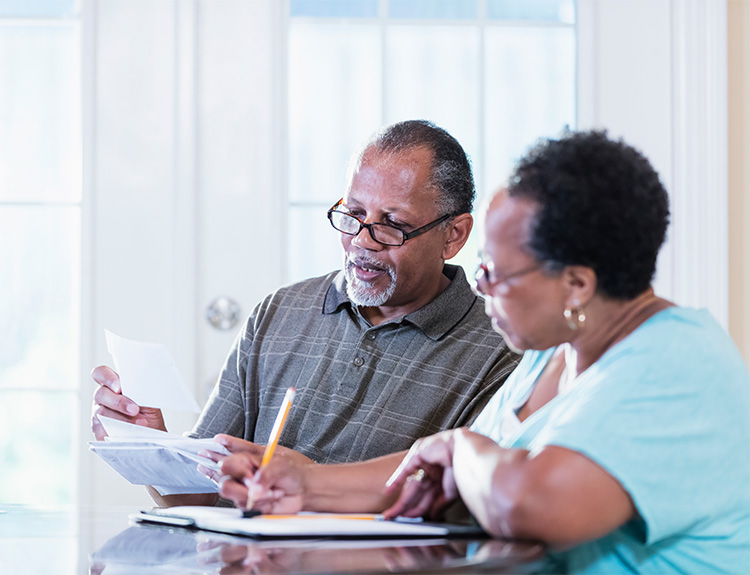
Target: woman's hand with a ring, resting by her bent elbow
425,478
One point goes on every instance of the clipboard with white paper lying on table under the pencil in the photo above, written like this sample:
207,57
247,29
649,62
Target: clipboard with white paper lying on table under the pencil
303,525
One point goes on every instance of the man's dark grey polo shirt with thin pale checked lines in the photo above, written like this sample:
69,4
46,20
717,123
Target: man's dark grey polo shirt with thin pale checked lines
362,390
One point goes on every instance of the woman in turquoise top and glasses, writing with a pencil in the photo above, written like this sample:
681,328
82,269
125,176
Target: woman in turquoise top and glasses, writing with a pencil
624,434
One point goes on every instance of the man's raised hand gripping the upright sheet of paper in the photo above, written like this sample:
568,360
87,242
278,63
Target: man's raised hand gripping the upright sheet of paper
109,402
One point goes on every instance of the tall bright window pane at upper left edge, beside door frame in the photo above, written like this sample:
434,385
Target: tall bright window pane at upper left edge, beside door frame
40,132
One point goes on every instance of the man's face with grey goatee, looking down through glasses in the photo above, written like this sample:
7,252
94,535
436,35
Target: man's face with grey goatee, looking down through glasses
392,190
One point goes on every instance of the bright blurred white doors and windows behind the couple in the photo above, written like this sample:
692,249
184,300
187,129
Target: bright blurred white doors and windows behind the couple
166,160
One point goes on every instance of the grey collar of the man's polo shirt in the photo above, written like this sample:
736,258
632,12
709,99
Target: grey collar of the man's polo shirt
435,319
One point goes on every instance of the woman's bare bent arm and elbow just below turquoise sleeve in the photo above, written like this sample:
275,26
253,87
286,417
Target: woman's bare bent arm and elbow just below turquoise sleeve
557,496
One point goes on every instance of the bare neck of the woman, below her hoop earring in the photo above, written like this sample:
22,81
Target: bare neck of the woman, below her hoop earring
608,322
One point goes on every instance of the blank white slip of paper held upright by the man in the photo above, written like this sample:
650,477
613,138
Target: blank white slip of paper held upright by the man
148,374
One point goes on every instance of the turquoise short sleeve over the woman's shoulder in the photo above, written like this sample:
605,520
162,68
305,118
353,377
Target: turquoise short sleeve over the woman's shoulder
653,414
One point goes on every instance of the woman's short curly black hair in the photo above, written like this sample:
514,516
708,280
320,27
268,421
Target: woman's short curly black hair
601,205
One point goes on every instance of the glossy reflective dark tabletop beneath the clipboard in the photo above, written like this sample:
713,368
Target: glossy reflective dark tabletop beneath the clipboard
86,540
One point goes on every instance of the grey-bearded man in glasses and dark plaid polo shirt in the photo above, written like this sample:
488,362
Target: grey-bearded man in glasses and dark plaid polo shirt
393,347
